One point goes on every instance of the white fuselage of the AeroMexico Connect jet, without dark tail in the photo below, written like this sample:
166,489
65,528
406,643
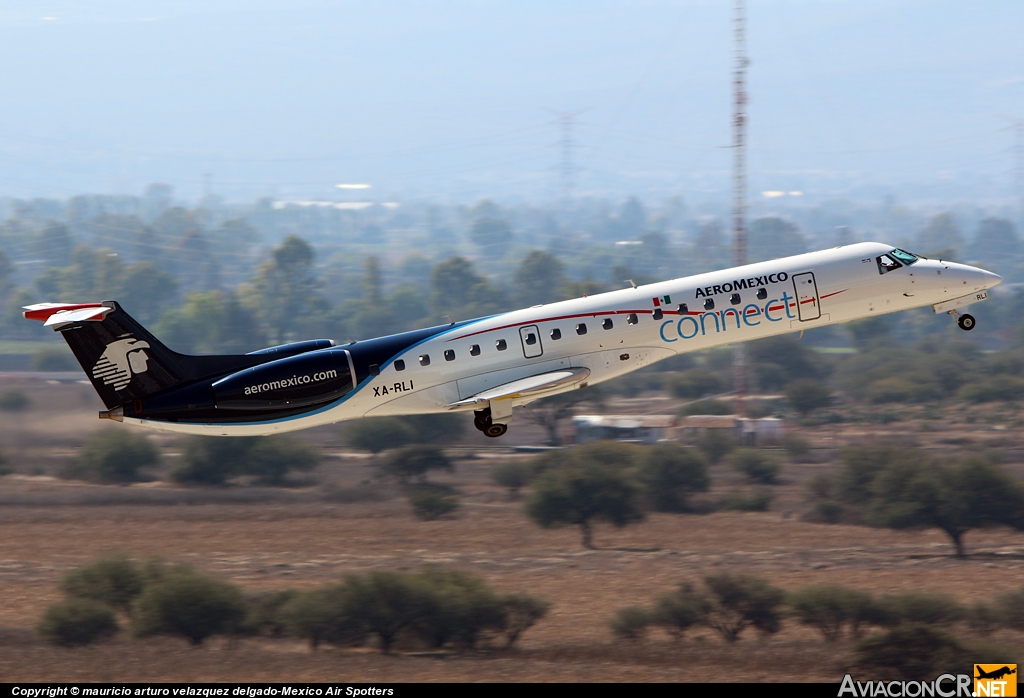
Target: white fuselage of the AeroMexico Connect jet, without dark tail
616,333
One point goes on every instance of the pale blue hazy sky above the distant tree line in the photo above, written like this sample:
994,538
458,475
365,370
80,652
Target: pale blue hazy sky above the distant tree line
459,100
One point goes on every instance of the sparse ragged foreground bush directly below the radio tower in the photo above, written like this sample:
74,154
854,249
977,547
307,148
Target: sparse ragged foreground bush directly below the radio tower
743,601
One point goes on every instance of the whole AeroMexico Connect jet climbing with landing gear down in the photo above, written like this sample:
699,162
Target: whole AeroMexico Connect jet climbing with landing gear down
492,365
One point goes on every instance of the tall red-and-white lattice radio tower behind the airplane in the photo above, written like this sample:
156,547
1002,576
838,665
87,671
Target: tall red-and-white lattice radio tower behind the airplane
740,185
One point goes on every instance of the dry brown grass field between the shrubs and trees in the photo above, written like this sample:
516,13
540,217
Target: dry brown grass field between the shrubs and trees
269,540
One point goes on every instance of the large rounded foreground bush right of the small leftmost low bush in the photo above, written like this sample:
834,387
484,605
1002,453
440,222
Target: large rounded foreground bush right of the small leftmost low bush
189,604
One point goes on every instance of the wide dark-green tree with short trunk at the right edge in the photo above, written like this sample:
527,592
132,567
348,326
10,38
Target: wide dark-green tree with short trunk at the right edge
972,495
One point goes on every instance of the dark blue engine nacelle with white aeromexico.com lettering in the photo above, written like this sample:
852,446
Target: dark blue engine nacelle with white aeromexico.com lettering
308,379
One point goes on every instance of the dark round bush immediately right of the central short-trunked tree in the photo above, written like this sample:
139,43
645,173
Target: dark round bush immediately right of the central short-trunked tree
671,474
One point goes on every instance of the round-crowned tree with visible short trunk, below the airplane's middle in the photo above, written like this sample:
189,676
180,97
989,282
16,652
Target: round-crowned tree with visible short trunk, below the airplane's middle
579,495
